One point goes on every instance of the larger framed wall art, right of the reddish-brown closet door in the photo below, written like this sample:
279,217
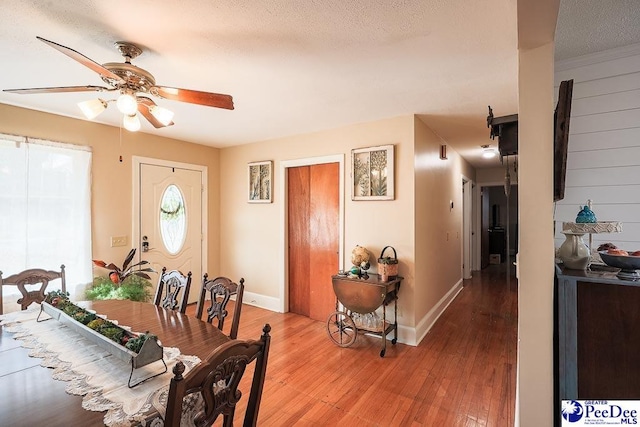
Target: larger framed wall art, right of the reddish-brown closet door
372,173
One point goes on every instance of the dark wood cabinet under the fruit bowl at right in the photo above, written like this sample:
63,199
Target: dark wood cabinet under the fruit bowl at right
598,329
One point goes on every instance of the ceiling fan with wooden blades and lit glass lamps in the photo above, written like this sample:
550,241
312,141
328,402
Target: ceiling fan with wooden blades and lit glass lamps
132,83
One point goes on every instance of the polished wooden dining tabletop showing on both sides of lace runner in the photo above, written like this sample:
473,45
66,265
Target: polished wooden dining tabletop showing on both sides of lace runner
30,396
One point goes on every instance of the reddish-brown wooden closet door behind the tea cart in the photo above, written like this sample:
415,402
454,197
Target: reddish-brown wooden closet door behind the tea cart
313,238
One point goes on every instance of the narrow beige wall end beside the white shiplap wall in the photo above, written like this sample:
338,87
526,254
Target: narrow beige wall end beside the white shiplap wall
536,28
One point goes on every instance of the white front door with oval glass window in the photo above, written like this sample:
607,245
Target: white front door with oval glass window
170,227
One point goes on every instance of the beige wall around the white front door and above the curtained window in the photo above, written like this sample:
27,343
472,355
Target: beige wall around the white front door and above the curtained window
111,179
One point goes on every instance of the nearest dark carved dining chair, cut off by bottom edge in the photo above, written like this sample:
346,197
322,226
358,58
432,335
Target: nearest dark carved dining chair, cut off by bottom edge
216,379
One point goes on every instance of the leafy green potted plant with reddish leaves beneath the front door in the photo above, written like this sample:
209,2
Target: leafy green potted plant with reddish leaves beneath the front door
129,282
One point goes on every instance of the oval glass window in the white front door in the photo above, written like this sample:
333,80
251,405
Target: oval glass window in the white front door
173,219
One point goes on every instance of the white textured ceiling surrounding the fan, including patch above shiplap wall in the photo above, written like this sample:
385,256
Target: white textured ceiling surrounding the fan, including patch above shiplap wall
291,67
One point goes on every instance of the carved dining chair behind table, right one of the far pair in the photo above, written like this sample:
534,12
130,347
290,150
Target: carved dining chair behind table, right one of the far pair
220,291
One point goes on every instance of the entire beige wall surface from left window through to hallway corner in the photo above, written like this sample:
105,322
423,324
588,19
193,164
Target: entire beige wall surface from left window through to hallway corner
245,240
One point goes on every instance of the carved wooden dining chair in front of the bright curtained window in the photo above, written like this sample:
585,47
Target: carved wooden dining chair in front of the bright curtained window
33,276
